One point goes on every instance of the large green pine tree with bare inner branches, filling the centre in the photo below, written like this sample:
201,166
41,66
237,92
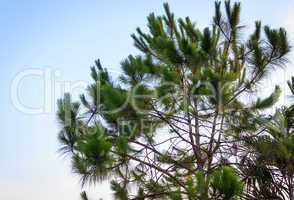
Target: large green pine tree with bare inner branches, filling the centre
173,125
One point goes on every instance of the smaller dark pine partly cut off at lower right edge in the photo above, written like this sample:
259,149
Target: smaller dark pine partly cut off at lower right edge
269,170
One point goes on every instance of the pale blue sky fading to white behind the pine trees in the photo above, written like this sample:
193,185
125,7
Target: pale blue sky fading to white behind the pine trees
47,47
